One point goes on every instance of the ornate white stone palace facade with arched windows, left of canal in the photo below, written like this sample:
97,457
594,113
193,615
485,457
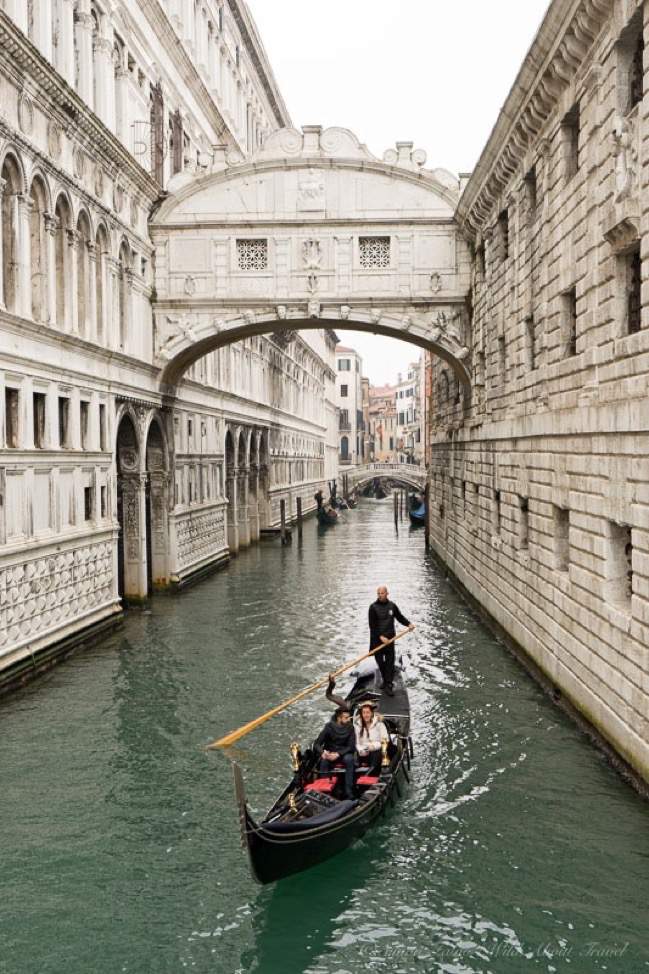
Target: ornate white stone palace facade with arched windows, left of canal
102,488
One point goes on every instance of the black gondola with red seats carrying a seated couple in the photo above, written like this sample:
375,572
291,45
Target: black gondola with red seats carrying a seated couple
311,820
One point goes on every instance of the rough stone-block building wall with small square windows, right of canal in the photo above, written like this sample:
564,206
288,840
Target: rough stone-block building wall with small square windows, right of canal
539,498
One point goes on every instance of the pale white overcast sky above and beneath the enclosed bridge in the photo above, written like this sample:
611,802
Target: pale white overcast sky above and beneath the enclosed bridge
430,72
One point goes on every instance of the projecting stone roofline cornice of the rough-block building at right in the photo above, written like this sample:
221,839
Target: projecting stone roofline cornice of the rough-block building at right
567,33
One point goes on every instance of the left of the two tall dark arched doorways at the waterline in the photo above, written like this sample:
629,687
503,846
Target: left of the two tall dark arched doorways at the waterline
130,513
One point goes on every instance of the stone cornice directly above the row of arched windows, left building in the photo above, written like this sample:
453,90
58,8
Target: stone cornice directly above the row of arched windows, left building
25,61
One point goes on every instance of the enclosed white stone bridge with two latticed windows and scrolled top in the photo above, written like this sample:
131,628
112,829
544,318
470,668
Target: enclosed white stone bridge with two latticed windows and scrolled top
312,231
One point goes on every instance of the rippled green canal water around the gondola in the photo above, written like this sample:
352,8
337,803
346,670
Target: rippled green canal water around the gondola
516,848
